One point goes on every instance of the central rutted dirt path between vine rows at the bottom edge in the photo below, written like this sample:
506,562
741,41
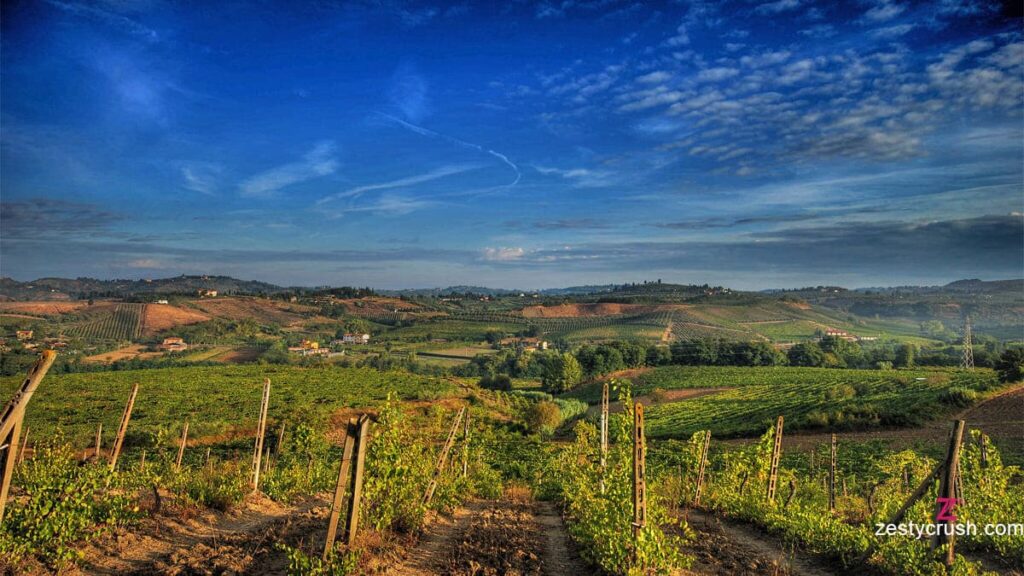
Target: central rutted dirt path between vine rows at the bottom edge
496,538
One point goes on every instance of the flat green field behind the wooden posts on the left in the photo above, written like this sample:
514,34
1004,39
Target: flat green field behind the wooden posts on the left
217,400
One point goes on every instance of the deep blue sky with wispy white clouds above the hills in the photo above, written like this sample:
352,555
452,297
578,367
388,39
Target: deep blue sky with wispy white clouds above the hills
526,144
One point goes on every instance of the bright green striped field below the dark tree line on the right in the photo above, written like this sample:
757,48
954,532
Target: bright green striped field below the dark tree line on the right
809,398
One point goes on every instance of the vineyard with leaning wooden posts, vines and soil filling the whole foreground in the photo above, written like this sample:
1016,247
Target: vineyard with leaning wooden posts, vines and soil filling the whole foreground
347,471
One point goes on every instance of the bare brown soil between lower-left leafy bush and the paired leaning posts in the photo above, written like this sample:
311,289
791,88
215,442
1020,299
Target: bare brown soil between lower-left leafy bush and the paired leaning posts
183,542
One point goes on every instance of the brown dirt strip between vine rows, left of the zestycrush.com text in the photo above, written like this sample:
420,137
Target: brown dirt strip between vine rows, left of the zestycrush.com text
723,548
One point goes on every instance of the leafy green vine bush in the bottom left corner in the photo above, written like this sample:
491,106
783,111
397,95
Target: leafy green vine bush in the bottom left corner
65,504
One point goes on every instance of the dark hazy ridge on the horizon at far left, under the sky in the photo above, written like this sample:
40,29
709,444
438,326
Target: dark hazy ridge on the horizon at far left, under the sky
82,289
